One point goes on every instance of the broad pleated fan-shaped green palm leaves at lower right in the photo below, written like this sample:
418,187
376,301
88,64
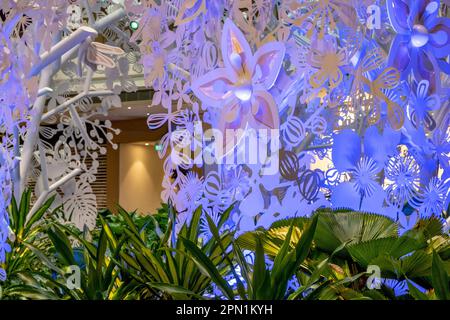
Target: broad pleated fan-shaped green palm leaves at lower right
352,241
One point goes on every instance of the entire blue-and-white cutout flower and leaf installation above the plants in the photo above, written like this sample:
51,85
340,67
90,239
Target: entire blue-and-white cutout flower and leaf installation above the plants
341,104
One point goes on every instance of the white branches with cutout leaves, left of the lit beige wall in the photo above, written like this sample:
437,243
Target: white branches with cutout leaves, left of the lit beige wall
48,130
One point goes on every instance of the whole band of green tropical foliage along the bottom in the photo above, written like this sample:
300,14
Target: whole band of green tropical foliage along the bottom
129,256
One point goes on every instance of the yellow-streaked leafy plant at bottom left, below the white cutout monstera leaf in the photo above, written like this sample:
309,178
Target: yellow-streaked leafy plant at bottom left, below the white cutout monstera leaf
98,263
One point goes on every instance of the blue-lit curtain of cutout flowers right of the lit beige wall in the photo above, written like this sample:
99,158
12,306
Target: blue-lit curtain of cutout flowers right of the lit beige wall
357,91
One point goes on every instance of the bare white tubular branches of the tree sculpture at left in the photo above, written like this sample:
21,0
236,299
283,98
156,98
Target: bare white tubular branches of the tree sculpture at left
49,64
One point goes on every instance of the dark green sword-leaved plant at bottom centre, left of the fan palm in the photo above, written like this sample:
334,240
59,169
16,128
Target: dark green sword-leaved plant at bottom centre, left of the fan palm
256,281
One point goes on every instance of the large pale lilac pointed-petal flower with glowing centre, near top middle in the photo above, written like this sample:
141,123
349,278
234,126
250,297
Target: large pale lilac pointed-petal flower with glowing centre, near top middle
241,88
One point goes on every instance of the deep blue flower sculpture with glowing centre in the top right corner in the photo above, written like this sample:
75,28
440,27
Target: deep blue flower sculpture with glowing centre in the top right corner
423,39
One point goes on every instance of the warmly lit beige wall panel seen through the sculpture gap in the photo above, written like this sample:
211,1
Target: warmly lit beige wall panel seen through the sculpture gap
140,178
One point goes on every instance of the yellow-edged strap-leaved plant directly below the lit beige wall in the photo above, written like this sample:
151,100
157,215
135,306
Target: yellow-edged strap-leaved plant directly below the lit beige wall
168,271
